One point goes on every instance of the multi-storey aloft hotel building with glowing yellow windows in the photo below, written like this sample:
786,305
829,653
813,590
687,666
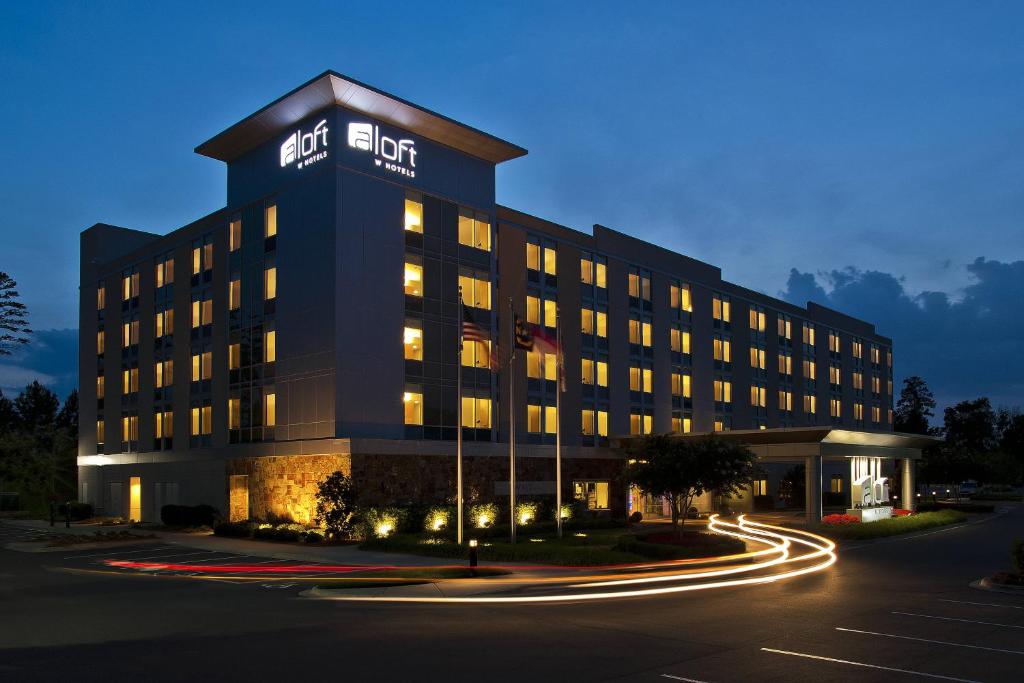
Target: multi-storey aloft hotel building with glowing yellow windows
312,325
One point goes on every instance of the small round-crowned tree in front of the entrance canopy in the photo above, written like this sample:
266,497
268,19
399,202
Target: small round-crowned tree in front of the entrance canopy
681,471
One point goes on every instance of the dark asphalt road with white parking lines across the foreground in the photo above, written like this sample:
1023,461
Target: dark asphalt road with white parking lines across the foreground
890,611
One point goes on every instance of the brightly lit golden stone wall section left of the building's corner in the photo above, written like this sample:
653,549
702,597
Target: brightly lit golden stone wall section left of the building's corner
286,486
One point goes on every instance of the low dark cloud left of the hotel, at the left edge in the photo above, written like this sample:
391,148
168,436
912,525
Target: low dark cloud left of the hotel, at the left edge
51,358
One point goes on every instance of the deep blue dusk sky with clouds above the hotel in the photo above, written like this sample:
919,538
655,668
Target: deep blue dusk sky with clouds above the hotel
835,140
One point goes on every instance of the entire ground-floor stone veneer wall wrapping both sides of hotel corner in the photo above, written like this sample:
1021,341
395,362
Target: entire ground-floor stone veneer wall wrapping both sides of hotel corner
286,486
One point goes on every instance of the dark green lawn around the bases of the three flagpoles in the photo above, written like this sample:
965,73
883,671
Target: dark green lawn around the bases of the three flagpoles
610,546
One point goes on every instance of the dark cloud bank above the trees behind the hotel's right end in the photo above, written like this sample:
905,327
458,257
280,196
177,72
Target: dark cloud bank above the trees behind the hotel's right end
964,349
